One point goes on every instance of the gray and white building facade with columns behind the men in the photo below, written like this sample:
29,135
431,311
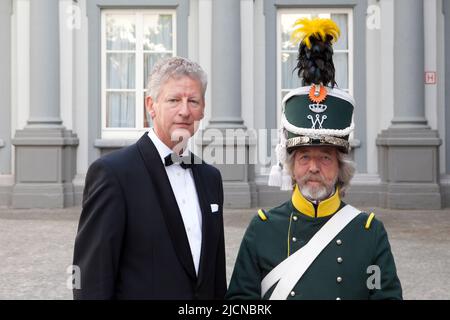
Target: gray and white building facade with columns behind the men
73,81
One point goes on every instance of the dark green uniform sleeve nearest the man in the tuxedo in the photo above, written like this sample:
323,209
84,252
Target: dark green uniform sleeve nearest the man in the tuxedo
245,282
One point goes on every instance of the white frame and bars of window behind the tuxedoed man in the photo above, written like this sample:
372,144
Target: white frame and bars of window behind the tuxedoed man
139,129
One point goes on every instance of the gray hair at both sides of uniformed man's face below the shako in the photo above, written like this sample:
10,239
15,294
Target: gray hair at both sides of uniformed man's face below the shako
347,169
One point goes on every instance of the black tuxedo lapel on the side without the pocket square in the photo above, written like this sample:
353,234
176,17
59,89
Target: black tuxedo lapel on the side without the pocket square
169,207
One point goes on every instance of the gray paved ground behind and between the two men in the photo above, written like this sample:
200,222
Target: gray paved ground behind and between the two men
36,248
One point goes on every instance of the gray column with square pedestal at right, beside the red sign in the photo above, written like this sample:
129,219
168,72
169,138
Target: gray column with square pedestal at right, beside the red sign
408,157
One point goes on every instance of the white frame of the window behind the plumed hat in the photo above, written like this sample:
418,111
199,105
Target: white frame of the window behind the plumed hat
319,10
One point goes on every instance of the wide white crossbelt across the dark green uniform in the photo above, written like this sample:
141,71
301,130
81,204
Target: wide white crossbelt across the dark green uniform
291,269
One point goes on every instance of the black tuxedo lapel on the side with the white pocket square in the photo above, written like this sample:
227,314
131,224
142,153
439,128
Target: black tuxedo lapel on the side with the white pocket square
209,237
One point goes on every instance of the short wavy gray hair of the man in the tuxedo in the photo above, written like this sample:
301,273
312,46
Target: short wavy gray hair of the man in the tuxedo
174,67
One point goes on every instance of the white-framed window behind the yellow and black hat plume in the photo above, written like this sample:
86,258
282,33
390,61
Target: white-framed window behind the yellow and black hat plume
287,78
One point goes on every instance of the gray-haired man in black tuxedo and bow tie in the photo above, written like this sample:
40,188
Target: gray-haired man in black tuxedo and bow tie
151,226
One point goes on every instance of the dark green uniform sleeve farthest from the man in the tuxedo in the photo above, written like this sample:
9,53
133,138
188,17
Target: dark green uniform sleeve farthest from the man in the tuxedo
389,287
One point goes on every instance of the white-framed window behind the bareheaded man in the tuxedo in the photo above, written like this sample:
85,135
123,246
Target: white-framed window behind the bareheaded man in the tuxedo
132,41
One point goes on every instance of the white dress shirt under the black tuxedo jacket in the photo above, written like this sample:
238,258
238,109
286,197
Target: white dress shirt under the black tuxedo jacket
183,187
